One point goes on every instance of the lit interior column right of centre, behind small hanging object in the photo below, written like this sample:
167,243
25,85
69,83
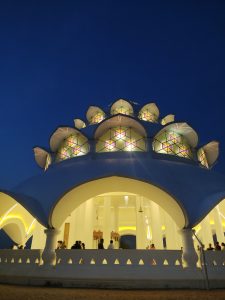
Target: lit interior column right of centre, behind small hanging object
140,224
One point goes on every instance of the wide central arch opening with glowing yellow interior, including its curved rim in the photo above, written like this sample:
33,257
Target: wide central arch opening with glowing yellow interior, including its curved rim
116,206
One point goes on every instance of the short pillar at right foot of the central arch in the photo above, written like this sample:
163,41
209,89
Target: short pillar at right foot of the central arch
189,255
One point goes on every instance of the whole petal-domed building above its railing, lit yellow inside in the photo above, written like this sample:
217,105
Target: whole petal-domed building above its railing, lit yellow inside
123,172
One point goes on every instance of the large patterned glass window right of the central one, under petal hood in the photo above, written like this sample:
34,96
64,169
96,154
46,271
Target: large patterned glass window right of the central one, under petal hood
172,143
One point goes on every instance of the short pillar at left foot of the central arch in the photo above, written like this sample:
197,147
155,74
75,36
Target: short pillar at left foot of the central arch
49,255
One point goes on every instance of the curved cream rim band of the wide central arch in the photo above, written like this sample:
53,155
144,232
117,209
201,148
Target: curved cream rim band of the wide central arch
79,194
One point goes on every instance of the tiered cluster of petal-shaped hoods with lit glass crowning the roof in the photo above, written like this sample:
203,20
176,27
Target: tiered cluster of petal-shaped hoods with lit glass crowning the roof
126,128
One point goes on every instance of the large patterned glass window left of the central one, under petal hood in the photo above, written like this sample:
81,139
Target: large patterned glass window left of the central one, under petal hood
74,145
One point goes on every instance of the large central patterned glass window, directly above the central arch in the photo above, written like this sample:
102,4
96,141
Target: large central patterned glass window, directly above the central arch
121,139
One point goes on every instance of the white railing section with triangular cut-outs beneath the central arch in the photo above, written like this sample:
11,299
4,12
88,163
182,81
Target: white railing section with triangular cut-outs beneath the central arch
156,258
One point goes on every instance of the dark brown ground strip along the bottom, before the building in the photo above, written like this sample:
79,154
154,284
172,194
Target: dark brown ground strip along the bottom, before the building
42,293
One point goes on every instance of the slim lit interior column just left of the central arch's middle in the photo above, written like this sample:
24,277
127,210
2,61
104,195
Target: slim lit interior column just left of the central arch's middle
107,221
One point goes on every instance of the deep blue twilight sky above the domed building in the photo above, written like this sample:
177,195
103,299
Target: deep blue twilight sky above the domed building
59,57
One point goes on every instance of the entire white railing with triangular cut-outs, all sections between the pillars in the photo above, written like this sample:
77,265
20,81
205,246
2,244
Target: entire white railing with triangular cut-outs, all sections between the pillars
151,258
